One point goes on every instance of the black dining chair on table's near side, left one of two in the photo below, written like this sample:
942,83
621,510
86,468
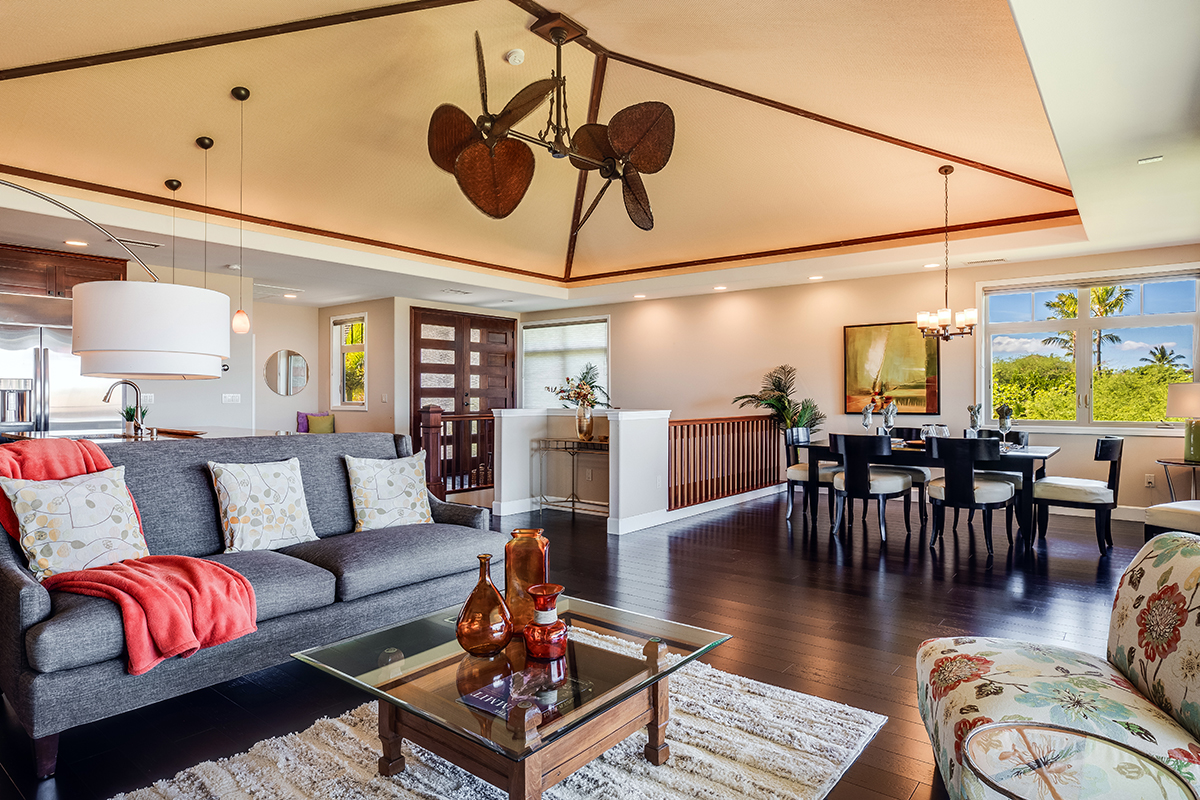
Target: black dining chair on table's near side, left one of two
862,482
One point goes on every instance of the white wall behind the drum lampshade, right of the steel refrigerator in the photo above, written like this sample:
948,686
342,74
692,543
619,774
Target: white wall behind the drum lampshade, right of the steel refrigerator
197,405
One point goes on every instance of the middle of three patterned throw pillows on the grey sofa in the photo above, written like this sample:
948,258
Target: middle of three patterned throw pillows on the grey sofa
262,506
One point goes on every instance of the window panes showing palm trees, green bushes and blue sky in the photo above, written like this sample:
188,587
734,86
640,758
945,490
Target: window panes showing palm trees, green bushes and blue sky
1090,352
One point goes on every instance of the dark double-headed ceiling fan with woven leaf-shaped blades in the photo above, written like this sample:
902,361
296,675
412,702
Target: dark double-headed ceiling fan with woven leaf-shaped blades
494,163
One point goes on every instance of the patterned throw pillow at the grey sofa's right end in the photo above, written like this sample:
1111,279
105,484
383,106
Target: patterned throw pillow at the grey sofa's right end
389,492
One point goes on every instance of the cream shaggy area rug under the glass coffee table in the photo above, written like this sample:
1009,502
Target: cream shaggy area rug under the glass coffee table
730,738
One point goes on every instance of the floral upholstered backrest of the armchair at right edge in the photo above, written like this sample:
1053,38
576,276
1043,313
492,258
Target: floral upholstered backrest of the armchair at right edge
1154,637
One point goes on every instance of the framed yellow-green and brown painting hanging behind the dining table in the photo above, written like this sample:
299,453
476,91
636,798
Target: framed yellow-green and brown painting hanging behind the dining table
891,362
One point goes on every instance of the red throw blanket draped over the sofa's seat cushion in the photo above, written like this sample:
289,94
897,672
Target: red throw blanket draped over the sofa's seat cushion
171,605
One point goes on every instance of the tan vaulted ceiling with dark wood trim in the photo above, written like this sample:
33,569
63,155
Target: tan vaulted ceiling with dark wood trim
803,127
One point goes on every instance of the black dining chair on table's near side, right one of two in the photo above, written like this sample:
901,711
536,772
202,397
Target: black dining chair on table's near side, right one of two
962,488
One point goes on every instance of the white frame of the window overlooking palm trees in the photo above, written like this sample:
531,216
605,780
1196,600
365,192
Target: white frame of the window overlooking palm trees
1084,323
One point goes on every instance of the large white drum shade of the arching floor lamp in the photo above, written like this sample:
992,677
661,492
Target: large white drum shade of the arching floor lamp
149,332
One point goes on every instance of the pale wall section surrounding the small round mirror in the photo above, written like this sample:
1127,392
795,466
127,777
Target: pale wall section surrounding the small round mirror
278,327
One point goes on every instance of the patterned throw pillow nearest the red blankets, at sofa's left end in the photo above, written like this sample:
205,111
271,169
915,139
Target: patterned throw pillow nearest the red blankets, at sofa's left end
76,524
